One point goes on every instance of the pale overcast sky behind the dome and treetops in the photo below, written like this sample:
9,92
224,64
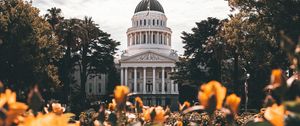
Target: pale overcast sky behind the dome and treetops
114,16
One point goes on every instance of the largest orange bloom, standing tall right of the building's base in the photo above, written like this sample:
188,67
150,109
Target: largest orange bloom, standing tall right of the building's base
210,89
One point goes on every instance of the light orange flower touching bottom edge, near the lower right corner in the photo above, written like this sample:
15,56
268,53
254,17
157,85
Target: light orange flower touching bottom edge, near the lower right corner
275,115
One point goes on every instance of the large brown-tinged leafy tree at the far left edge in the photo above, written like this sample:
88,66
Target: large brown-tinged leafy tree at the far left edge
27,51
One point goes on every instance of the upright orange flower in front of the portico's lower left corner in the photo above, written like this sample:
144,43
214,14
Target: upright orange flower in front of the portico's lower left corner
121,93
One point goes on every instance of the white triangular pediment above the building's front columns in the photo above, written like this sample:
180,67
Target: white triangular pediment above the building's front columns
148,57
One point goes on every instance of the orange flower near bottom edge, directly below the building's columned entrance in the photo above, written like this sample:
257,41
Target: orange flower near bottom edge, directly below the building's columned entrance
156,114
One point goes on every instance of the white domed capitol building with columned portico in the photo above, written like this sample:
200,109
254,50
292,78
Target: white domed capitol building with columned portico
146,64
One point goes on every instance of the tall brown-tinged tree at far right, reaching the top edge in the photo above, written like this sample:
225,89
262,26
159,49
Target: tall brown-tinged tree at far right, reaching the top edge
254,32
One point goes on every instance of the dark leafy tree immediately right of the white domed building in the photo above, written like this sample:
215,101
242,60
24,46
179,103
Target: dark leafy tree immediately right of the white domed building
201,59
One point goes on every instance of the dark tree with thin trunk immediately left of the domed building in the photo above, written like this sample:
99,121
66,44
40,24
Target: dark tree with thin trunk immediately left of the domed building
95,52
